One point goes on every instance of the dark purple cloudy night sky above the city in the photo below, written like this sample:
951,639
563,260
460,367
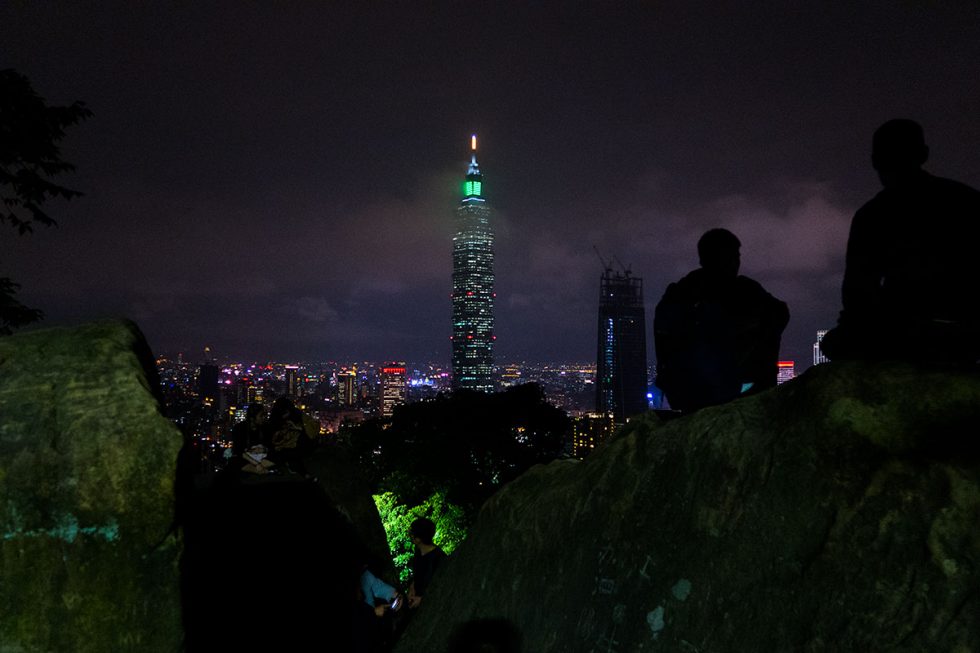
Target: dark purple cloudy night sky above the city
279,183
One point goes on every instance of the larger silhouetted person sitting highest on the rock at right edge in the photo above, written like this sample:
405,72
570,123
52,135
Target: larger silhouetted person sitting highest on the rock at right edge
912,273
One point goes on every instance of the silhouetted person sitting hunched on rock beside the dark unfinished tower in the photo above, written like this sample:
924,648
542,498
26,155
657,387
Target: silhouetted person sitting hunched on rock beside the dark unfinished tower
716,332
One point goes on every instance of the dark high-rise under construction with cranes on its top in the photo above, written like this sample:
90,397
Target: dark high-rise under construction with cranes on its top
621,359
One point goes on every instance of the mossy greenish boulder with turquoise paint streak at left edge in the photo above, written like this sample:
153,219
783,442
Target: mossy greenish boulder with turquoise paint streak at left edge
86,494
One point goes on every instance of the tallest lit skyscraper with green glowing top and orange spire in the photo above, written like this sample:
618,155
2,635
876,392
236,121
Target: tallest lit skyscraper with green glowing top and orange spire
473,286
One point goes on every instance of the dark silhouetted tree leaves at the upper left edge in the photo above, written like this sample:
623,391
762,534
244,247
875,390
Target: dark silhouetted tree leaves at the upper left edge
30,133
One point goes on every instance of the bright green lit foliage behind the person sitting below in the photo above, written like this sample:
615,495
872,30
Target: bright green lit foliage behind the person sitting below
397,517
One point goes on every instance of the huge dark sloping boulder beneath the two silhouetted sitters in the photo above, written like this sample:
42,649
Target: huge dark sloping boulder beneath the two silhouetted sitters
840,511
